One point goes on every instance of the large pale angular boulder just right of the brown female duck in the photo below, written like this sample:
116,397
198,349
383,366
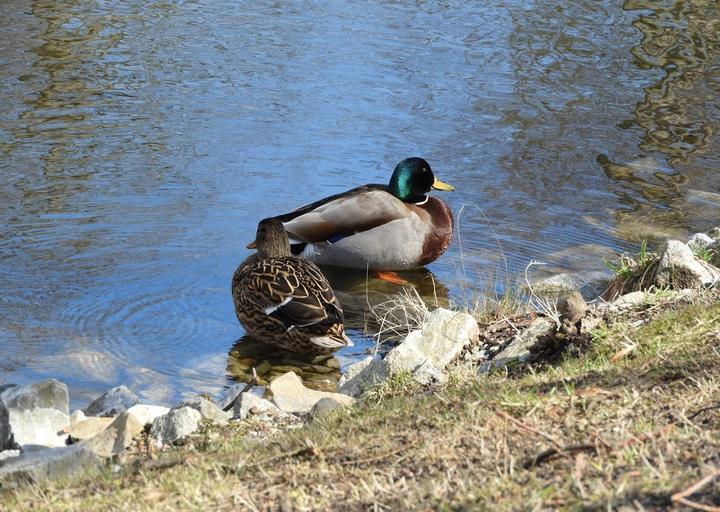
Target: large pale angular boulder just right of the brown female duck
443,336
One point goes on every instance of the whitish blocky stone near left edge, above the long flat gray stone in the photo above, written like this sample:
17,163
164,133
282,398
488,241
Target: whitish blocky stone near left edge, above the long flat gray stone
39,426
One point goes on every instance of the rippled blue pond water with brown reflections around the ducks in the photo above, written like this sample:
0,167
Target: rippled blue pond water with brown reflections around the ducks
140,142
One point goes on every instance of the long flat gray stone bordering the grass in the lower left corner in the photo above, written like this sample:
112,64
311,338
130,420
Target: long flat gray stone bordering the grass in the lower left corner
35,466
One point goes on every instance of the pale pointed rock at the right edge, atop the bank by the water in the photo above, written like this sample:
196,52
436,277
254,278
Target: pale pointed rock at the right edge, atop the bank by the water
679,268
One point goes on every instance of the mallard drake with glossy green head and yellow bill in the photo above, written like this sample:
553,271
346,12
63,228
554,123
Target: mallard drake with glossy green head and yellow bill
382,227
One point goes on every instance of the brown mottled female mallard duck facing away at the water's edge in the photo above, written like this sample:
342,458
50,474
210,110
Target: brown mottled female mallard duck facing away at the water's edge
286,301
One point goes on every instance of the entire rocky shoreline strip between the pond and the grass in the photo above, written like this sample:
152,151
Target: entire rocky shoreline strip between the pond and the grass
40,439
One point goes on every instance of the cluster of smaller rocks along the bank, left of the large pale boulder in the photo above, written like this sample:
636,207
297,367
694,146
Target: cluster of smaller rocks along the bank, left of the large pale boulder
40,439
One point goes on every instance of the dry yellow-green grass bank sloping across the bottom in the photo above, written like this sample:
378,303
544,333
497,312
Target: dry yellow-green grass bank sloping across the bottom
630,422
